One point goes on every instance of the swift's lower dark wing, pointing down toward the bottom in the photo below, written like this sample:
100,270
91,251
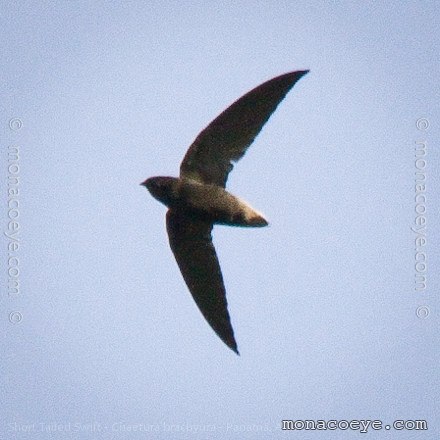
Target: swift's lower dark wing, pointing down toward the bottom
191,243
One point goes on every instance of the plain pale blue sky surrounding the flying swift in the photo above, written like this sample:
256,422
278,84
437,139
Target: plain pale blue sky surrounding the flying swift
322,301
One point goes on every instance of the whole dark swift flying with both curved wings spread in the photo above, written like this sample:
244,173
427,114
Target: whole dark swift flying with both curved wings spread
197,199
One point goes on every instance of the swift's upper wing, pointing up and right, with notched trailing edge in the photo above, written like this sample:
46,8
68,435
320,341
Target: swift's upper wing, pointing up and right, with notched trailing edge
228,136
